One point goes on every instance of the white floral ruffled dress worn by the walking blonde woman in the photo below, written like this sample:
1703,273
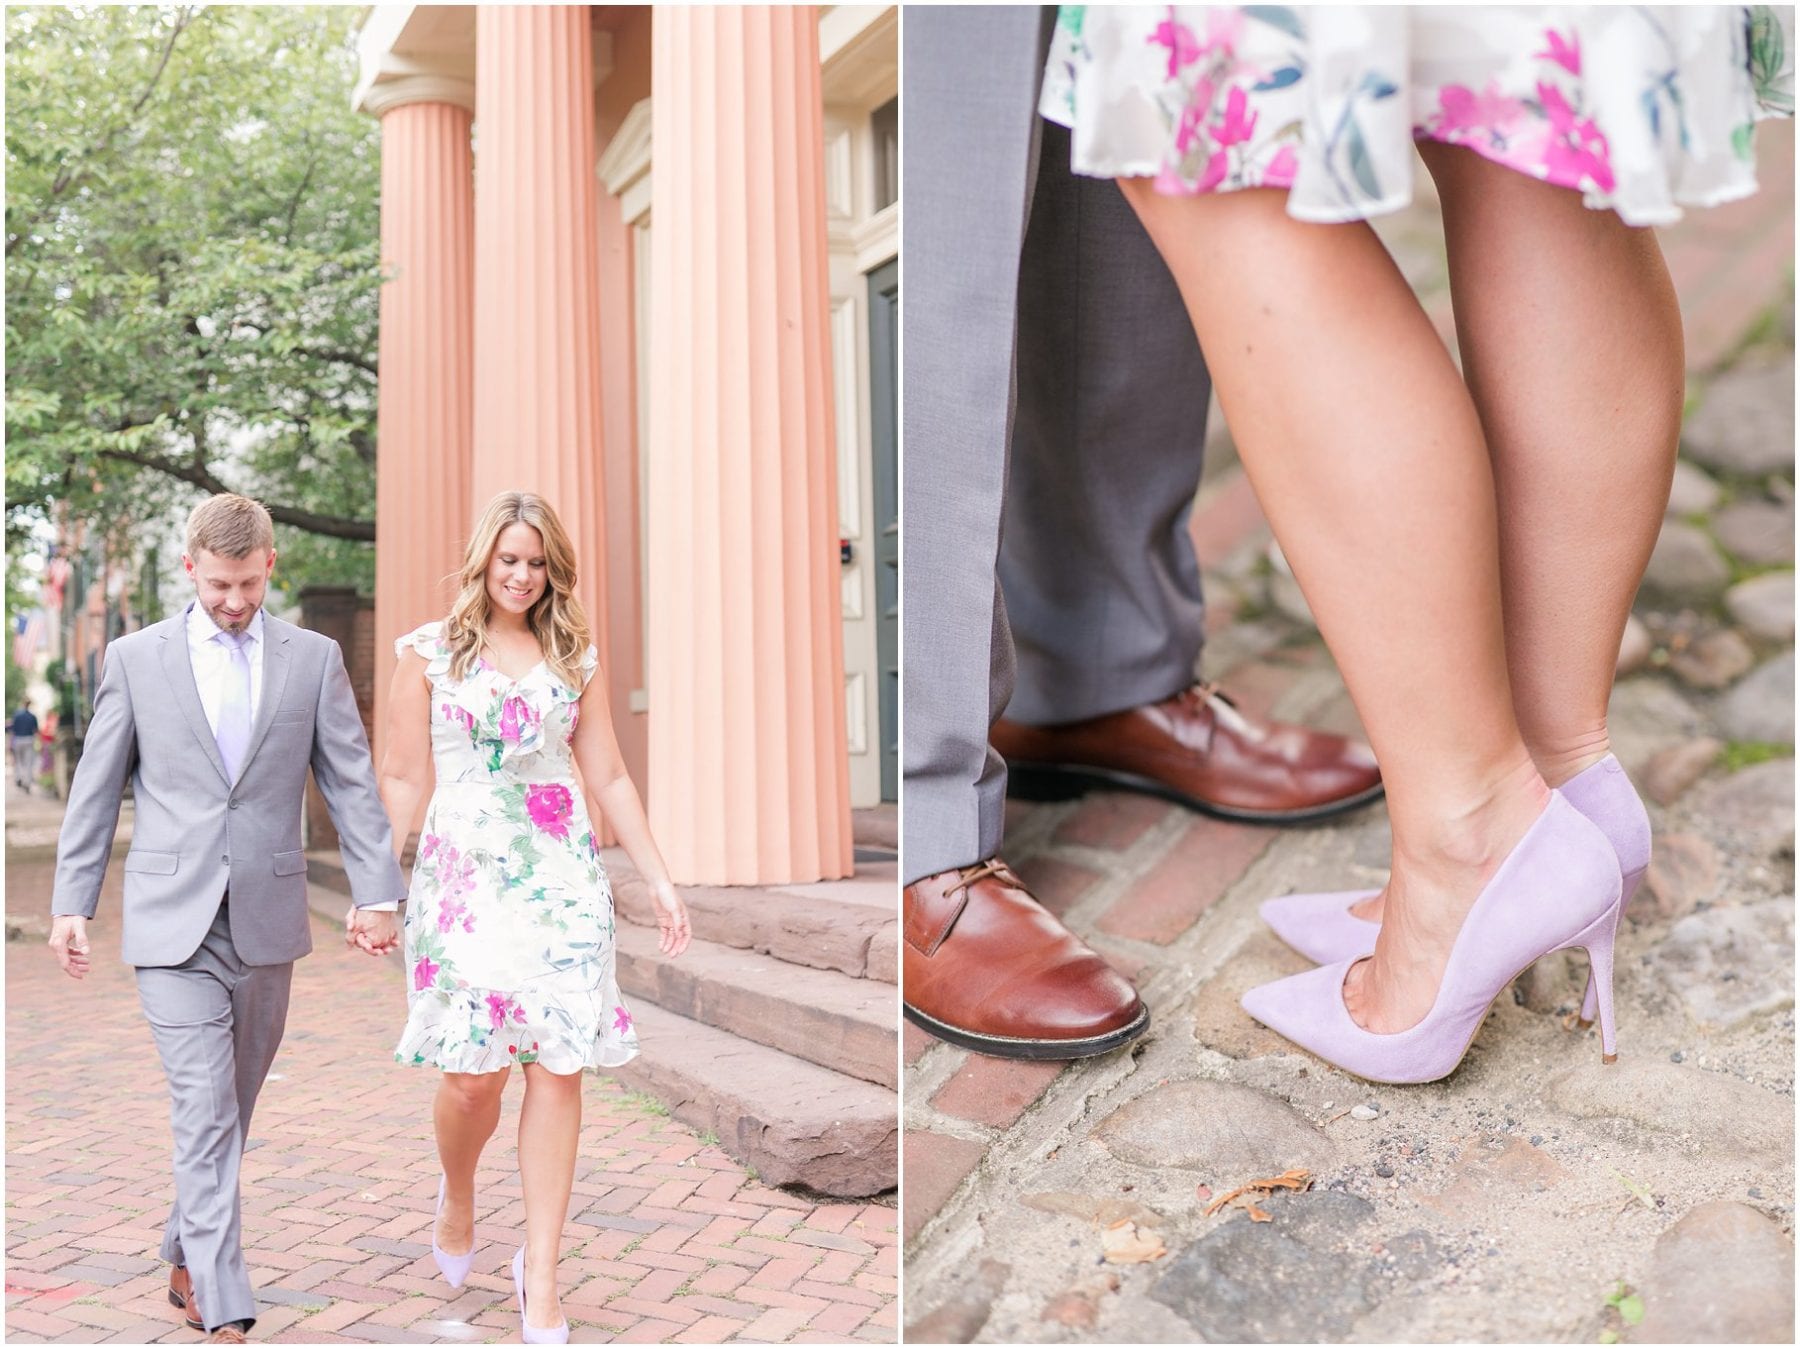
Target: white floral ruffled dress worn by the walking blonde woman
510,934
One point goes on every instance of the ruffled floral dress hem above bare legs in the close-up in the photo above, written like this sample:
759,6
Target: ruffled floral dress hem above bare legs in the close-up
1641,109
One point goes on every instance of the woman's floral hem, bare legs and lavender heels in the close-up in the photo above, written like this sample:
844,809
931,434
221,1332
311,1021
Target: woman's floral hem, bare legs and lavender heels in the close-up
1468,539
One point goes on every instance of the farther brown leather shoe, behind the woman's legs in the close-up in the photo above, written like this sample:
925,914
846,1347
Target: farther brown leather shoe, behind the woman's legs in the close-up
1196,750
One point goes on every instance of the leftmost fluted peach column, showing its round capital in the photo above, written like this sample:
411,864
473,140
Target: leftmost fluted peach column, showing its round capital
424,415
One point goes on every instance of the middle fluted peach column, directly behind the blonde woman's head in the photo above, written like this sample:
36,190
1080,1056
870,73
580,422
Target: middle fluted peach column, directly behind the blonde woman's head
537,280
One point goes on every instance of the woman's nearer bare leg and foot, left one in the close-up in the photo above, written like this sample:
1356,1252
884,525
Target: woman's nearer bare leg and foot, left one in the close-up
1367,455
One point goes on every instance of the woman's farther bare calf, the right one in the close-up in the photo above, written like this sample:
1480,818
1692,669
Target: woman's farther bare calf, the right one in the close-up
1572,347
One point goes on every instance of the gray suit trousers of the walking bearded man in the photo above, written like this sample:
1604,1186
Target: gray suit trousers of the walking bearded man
217,1024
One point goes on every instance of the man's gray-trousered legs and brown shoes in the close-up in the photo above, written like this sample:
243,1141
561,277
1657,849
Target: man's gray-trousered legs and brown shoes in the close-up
1052,376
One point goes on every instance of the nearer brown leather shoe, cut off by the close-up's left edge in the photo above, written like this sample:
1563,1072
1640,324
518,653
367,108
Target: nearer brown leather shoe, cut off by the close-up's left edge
989,970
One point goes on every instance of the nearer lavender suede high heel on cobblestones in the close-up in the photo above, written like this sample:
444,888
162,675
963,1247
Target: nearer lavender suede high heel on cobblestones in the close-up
1558,889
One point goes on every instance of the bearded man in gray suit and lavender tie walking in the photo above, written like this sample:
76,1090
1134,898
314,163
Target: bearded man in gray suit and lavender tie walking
215,716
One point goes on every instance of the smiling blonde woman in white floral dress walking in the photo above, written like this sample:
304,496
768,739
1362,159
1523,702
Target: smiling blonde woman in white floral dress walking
510,930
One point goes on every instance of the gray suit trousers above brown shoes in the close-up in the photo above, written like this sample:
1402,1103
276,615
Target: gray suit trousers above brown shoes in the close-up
1052,377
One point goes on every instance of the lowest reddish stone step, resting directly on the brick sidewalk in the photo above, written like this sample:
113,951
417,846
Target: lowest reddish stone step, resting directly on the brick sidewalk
795,1121
